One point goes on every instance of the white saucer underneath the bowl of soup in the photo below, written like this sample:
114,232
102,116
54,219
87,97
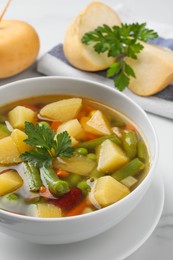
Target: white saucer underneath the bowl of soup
116,243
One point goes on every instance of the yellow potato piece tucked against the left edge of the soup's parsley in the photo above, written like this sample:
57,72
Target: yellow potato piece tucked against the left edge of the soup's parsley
18,137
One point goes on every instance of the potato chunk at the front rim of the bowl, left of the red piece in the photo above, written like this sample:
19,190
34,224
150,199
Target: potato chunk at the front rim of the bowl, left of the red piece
45,210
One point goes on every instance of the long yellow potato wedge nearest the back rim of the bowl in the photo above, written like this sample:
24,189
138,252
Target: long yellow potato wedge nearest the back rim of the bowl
62,110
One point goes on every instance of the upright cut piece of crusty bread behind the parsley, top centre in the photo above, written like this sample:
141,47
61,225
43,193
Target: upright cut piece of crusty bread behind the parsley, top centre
80,55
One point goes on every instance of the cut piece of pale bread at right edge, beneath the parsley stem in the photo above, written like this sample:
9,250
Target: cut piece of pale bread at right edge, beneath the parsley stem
153,69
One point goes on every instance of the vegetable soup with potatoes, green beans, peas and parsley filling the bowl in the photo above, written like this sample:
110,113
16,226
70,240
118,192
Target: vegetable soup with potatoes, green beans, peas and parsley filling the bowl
63,156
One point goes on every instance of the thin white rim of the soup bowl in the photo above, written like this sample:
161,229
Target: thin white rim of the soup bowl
14,216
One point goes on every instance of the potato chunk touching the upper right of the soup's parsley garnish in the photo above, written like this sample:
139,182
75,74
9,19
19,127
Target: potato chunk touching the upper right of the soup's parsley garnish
73,127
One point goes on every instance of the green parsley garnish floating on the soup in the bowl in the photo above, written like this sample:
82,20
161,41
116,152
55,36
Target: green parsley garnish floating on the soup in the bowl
46,145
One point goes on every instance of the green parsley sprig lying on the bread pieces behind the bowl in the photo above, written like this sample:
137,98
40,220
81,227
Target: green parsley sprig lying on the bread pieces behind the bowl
120,42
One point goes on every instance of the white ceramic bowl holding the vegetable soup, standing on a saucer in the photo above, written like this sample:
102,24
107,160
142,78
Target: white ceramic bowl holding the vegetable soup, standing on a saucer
71,229
